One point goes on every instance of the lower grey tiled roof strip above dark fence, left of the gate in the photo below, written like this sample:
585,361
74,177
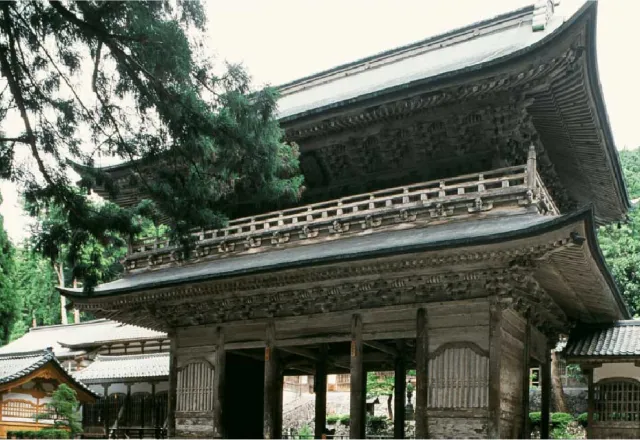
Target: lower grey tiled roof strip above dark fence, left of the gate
127,366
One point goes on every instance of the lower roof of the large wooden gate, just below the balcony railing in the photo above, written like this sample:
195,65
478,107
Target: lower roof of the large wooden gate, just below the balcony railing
575,277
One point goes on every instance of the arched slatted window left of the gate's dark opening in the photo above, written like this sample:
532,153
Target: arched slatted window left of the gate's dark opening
195,387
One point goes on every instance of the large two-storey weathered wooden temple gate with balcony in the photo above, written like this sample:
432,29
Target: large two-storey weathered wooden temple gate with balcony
454,187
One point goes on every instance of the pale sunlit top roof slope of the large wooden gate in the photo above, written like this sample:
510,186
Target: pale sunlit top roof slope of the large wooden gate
468,47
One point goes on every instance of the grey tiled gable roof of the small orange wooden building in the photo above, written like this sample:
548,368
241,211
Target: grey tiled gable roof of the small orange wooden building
15,366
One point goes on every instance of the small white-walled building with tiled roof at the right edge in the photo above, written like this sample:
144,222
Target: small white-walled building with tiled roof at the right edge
610,357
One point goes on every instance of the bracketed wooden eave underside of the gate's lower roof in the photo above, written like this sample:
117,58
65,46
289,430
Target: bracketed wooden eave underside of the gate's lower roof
515,270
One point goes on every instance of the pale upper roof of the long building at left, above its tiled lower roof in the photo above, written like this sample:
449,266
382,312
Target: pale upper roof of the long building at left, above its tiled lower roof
69,340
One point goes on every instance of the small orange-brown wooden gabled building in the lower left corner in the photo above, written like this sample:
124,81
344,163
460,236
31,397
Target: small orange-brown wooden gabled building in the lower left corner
27,381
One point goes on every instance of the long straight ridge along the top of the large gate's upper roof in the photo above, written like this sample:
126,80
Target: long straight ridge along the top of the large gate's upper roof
447,35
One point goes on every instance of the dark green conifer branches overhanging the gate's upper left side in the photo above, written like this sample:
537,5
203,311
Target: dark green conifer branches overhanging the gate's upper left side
199,142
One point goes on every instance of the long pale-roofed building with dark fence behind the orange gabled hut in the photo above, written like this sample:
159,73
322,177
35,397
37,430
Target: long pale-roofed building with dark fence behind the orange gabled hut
127,365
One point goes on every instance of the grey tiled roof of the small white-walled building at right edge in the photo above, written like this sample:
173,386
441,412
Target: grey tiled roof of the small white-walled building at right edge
619,339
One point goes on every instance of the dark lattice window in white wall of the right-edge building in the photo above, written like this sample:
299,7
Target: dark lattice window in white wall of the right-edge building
617,400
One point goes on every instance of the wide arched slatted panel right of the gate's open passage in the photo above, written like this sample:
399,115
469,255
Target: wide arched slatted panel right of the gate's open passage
459,376
